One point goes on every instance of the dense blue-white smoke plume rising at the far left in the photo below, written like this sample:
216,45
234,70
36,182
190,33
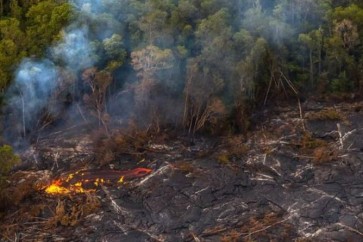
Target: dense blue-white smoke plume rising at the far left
37,80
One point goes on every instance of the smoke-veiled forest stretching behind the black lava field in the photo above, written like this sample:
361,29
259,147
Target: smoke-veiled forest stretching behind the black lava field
198,64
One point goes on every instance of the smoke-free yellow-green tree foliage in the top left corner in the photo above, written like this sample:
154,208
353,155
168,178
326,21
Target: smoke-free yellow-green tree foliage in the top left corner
27,28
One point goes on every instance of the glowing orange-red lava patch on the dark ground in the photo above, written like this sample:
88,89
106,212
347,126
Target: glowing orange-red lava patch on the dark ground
88,180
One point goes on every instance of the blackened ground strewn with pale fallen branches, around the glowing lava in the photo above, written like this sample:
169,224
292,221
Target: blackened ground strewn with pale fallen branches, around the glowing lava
290,179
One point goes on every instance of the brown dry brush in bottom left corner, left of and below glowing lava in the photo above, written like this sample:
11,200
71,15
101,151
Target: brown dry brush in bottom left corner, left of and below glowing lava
29,210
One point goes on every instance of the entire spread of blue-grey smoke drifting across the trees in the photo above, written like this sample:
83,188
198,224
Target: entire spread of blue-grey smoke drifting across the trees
100,29
